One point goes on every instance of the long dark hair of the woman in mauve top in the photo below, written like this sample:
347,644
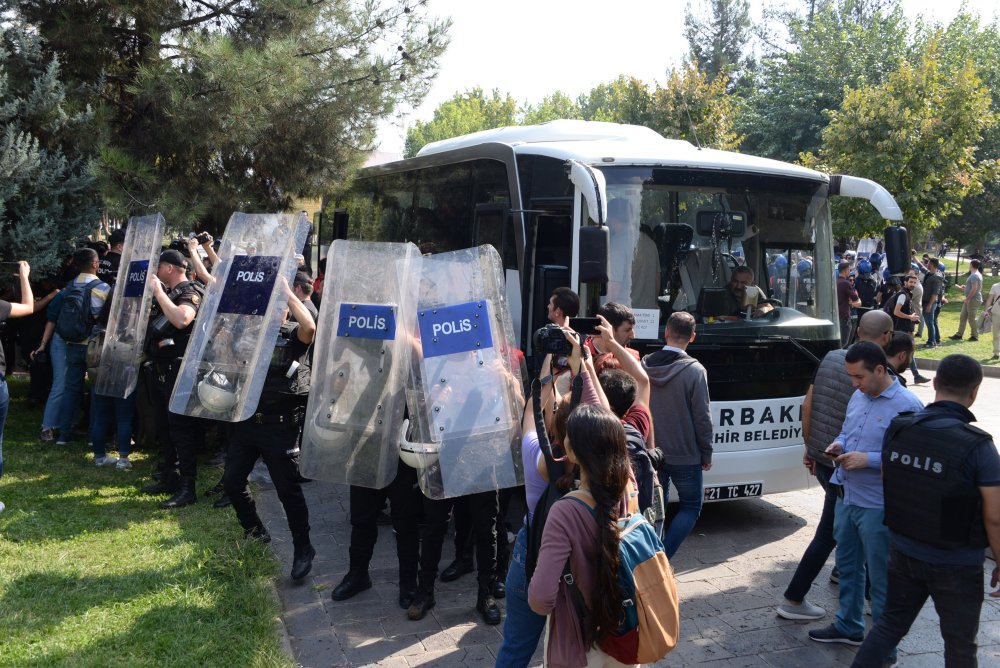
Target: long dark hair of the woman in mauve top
597,440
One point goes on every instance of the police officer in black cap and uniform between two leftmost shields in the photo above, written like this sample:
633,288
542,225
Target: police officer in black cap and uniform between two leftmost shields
176,301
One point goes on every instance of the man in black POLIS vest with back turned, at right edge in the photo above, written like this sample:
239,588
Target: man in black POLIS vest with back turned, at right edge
942,505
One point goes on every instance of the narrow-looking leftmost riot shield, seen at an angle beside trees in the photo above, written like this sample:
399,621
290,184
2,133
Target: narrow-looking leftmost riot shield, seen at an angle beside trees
118,373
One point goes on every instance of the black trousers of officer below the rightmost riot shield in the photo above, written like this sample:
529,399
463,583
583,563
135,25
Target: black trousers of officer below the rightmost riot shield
483,508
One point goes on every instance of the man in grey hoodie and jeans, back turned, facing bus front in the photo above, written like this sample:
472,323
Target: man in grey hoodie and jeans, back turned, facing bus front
680,407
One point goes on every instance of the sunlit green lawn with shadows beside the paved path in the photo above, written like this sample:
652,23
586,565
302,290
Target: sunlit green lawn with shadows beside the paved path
92,573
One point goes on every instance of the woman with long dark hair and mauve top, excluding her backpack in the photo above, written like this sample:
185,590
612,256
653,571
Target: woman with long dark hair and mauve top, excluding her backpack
595,442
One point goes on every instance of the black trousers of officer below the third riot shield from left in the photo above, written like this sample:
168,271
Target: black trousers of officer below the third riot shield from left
406,509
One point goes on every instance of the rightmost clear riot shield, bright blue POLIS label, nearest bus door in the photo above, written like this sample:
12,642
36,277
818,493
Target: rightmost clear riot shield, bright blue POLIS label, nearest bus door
465,391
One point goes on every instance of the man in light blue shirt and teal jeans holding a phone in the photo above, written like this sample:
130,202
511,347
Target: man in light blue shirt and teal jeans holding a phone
858,517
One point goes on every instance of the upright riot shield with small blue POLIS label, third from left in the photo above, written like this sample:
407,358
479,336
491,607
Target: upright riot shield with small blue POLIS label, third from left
360,364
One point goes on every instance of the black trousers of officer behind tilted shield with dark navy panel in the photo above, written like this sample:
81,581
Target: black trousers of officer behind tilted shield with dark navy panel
278,446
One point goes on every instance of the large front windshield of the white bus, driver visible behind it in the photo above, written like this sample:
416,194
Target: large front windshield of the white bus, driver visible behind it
677,233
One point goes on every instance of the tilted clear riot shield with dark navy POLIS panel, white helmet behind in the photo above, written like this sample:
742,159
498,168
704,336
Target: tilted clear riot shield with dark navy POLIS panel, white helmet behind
226,362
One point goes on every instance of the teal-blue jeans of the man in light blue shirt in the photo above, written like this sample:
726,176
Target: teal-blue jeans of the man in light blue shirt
862,539
